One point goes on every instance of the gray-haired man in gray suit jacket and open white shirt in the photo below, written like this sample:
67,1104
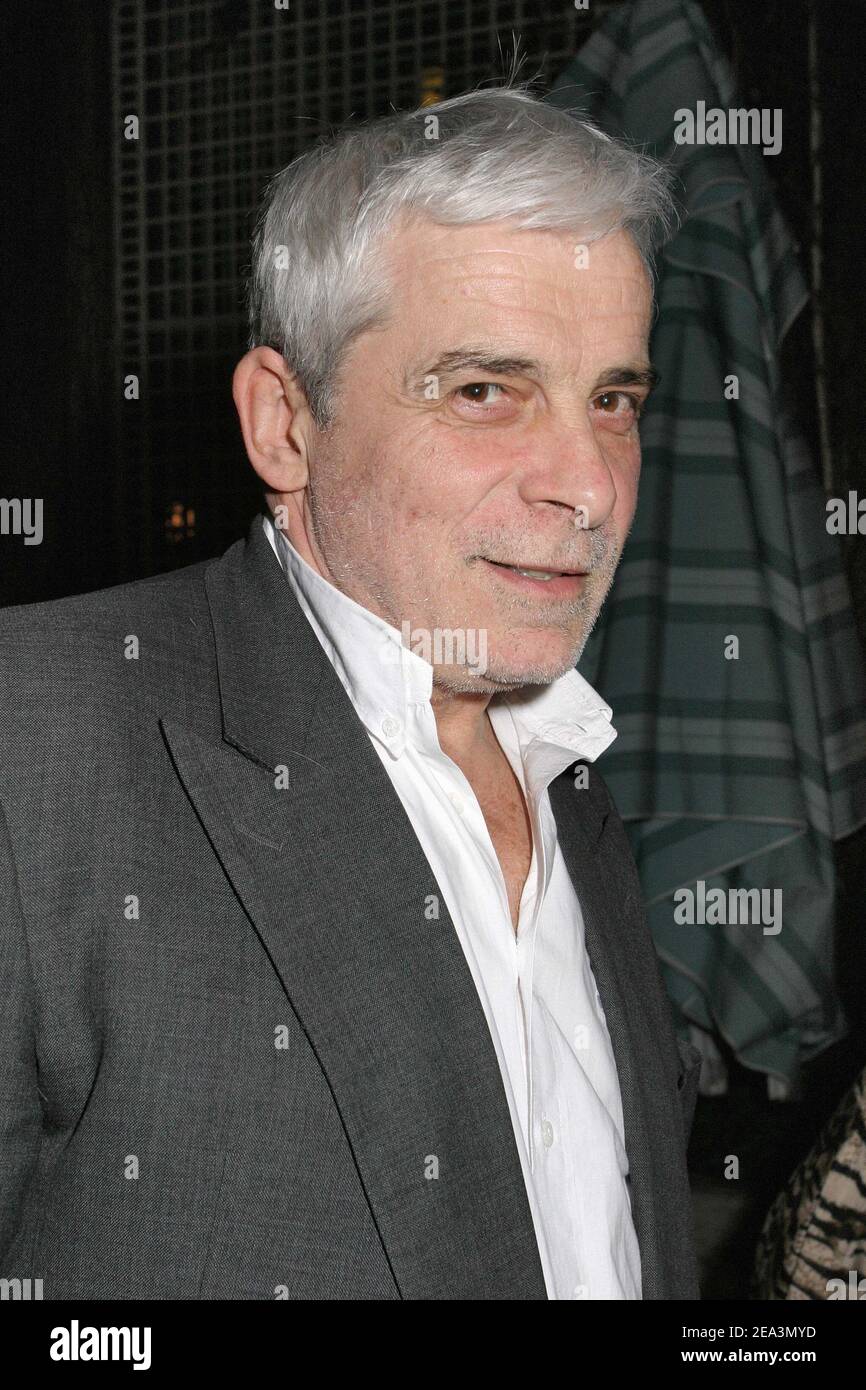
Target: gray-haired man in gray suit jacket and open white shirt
327,968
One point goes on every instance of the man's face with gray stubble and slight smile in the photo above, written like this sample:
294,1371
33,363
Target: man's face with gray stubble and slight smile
440,473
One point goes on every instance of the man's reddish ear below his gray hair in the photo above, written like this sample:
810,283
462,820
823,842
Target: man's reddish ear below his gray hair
276,419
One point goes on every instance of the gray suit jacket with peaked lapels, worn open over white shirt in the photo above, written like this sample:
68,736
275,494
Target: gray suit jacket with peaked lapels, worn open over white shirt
230,1039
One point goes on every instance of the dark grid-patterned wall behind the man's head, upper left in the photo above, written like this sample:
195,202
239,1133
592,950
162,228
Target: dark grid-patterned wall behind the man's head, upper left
227,94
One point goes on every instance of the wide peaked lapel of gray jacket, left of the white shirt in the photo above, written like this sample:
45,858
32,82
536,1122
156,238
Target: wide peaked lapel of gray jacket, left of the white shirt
327,867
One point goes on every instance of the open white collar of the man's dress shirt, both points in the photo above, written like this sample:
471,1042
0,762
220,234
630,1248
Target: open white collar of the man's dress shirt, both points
384,678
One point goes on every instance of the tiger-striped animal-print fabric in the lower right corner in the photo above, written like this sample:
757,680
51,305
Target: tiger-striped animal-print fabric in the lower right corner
814,1239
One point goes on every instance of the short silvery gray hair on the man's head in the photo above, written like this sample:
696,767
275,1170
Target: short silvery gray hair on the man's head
318,277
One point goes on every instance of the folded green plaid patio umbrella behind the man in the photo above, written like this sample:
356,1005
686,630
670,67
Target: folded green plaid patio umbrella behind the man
736,772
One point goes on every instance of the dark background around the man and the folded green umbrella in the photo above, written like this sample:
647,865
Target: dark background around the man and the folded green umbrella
130,258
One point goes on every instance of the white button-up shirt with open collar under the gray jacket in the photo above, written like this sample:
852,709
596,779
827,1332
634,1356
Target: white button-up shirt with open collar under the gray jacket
536,986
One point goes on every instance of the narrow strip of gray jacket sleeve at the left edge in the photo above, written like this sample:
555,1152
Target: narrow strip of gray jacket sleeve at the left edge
20,1103
